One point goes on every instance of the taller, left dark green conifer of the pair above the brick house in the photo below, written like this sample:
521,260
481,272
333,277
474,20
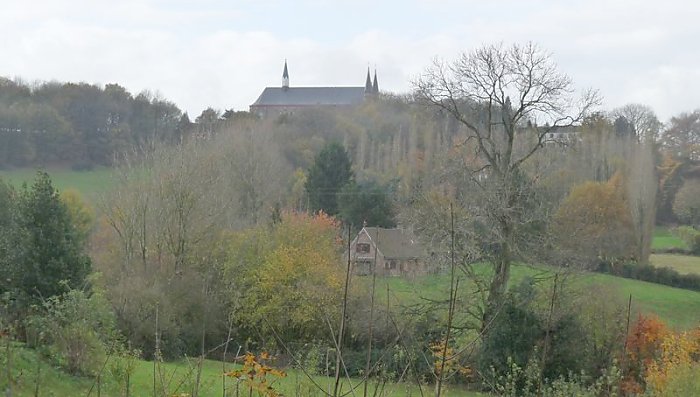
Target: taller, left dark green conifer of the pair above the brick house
330,171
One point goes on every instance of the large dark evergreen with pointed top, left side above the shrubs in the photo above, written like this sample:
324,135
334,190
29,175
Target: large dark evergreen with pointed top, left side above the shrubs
52,260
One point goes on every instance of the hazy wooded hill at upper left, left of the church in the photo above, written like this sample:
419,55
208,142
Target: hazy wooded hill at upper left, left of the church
80,125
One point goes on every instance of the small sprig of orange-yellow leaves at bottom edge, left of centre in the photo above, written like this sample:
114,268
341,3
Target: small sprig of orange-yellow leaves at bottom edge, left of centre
254,374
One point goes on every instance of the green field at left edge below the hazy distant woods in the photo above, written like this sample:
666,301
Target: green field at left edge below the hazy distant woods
88,183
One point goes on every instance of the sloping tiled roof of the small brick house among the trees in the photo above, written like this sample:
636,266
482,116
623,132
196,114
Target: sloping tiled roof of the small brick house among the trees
396,243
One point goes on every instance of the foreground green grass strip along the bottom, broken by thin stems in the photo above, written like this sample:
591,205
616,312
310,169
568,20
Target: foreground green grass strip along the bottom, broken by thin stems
172,379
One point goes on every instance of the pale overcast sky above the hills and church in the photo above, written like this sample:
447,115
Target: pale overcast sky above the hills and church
222,53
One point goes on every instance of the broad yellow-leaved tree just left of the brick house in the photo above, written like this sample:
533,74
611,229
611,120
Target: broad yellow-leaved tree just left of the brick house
286,280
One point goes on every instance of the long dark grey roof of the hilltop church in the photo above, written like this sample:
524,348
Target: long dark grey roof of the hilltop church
310,96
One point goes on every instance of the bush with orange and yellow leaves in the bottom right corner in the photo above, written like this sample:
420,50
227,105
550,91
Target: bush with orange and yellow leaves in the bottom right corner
656,355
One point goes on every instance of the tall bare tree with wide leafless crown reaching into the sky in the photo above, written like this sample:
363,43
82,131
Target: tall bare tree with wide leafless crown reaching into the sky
493,92
